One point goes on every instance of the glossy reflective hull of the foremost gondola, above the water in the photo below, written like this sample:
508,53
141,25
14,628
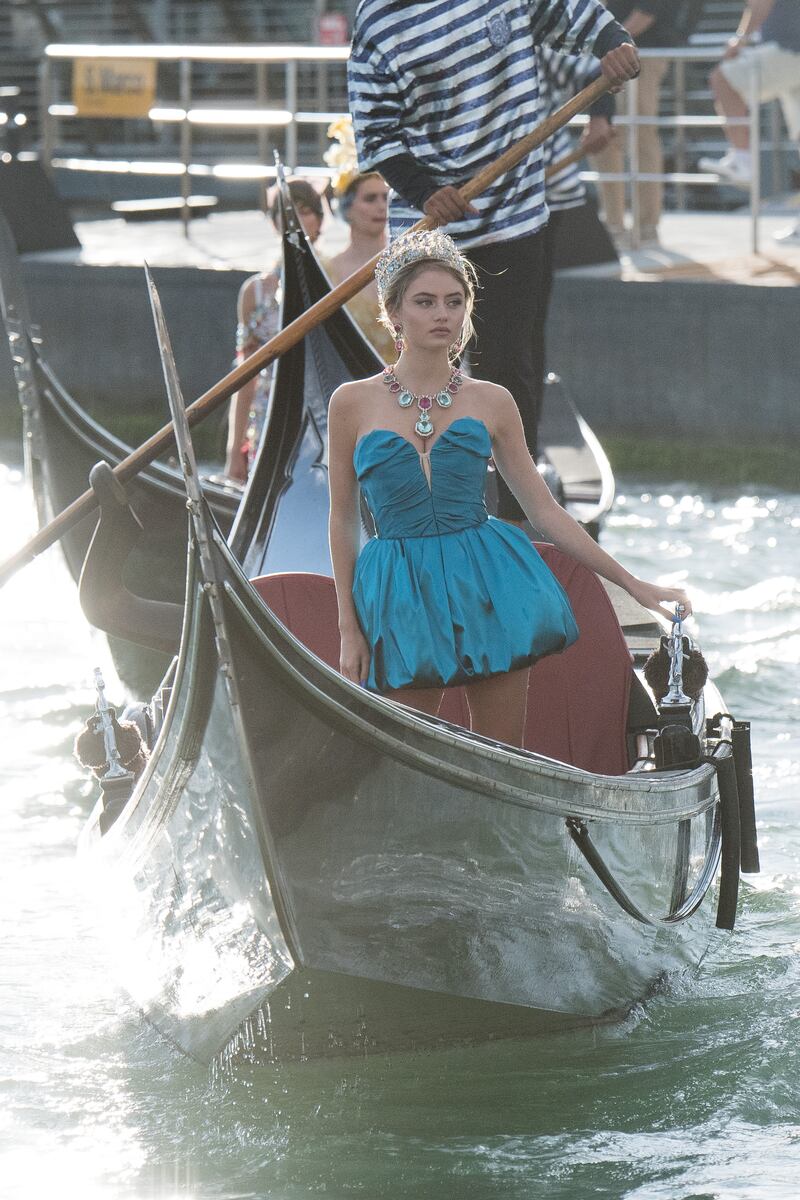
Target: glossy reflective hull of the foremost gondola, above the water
299,843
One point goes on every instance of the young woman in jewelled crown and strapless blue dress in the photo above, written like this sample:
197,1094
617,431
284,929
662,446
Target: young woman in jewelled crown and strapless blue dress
446,595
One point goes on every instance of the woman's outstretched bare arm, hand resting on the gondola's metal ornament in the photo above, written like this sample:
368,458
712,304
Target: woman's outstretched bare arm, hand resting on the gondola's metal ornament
515,464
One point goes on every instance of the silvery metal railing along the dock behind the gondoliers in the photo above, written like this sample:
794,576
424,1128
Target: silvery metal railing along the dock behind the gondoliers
188,117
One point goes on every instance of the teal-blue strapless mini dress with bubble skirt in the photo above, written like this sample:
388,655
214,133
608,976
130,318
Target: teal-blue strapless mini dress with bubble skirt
447,595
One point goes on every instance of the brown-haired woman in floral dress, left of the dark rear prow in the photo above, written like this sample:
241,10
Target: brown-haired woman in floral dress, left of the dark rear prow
260,319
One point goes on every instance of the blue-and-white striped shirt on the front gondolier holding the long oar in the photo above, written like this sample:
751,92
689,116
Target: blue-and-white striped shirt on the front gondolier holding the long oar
455,83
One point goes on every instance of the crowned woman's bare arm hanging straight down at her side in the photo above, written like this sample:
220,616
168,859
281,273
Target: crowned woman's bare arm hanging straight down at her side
345,529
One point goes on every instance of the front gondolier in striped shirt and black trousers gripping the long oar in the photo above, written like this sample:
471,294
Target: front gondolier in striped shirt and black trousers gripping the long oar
440,91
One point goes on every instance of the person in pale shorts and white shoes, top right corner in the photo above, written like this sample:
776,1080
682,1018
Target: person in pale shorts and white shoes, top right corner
778,61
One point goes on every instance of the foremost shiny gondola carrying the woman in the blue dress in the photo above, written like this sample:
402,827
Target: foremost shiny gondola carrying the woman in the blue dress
312,871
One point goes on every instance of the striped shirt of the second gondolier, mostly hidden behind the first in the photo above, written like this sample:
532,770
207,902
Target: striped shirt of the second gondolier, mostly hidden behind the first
561,76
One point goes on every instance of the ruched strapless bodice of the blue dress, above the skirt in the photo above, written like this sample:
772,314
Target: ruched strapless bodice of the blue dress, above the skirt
405,502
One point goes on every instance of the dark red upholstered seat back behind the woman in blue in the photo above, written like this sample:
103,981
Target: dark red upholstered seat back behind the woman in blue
578,703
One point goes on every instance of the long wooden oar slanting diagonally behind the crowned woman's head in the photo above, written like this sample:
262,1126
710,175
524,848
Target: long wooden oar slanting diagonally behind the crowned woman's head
293,334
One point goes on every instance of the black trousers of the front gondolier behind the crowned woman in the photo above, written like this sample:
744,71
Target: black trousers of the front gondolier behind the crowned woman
515,279
